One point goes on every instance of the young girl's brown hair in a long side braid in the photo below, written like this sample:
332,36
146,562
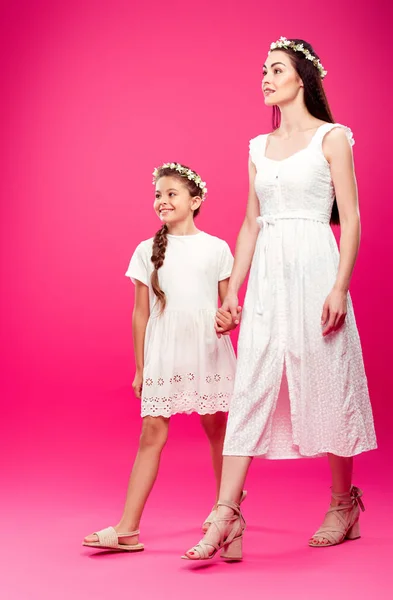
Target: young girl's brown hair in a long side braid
160,241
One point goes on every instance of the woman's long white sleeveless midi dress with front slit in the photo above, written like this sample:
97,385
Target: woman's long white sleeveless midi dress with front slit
293,270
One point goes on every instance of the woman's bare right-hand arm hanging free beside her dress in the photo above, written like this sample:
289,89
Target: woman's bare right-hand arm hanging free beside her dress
339,155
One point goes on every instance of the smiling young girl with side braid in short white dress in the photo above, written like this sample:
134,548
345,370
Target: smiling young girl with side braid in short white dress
181,365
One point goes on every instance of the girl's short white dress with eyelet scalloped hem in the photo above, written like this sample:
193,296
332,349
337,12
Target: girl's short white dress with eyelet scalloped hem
186,367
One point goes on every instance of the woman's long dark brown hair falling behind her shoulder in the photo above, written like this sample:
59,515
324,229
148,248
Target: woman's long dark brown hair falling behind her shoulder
314,96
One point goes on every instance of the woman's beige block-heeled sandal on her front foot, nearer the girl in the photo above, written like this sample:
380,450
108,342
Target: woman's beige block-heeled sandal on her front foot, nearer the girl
231,544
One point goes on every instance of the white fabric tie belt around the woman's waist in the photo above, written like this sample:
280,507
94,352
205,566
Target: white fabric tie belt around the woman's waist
265,222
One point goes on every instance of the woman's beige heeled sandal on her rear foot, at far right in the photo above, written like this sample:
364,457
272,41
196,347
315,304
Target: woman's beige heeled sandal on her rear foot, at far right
347,514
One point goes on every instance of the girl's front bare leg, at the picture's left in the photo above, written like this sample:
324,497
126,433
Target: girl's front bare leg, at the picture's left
143,475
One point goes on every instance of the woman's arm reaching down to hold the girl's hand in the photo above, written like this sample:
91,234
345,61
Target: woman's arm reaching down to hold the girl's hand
245,247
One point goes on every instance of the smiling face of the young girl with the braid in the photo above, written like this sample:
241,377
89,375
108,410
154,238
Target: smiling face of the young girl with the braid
173,202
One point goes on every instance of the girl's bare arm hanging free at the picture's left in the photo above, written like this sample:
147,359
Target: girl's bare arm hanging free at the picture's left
140,317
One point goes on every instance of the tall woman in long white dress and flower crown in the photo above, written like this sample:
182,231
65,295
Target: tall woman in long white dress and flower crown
298,318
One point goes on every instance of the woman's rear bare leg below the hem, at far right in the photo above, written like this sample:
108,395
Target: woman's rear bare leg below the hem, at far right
341,469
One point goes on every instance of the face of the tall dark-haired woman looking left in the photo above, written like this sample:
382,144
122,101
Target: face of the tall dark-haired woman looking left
281,83
